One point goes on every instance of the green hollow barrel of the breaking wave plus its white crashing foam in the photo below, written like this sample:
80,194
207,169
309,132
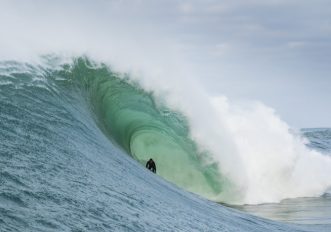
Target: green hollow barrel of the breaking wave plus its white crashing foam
222,151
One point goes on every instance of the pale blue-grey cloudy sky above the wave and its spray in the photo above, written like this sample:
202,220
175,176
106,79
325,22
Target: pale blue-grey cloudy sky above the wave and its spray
274,51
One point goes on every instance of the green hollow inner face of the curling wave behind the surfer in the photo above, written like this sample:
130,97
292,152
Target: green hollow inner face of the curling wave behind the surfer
145,128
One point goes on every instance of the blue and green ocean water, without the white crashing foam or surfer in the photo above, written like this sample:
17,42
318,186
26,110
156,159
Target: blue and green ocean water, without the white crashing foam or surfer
74,138
